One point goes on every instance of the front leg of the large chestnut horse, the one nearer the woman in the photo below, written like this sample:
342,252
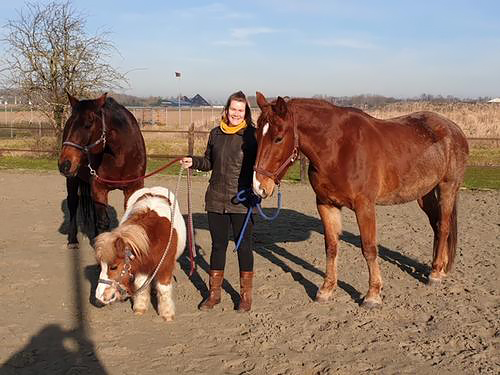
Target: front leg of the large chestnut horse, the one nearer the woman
332,224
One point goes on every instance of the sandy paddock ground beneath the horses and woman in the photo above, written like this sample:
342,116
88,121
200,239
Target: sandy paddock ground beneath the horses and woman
49,325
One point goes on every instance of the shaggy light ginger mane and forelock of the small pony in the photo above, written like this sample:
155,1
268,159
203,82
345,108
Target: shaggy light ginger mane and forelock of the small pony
132,235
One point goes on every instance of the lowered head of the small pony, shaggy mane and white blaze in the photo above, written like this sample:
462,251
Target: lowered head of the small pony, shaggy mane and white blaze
119,252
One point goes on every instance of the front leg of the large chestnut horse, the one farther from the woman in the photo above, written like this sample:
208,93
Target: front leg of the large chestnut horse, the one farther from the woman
365,215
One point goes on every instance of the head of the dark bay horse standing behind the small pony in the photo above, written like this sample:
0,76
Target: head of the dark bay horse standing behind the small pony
82,133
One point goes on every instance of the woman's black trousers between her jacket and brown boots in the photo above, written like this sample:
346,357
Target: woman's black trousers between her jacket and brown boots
219,225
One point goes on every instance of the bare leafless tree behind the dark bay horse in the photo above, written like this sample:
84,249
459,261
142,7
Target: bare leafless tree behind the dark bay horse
50,53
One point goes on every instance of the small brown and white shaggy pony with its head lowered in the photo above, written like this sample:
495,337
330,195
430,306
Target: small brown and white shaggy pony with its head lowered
130,254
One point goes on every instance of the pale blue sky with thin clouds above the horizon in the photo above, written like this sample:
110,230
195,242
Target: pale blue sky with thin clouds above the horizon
299,47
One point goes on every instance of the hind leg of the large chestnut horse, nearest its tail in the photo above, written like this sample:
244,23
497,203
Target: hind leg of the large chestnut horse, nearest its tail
447,228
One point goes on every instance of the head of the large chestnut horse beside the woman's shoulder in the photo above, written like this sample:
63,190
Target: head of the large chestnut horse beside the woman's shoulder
277,144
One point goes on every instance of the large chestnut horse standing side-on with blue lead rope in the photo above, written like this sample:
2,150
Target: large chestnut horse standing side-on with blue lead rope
358,161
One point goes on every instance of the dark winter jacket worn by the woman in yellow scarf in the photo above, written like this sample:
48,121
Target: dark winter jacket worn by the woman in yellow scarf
230,157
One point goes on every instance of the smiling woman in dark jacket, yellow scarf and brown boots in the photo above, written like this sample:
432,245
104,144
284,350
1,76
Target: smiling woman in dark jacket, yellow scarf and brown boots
230,155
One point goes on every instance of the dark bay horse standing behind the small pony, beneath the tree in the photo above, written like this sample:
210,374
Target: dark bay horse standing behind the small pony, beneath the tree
102,136
